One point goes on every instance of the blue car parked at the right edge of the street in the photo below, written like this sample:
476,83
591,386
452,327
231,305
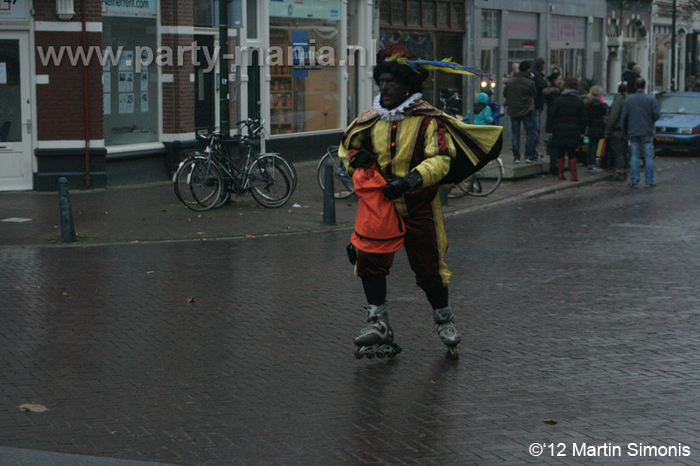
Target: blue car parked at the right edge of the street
678,129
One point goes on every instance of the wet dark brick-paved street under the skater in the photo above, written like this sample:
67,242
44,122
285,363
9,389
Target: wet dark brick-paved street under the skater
579,311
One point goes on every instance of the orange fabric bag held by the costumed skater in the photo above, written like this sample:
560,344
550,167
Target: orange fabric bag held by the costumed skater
378,228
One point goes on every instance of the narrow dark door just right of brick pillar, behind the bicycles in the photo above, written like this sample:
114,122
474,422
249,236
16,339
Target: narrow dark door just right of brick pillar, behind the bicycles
204,85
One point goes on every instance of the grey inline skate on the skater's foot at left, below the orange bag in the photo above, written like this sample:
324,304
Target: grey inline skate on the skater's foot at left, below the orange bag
377,339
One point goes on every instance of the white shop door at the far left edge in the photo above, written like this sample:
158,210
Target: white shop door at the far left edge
15,117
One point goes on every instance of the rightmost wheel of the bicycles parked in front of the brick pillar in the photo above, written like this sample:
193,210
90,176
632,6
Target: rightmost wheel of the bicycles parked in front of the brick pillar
271,181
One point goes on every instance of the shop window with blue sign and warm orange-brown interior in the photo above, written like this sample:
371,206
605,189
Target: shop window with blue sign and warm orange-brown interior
304,89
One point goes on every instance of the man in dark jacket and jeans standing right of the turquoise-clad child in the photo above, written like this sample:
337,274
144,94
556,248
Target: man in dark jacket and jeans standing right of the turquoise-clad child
520,92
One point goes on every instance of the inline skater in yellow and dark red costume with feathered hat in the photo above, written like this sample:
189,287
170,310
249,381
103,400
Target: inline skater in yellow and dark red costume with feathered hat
417,148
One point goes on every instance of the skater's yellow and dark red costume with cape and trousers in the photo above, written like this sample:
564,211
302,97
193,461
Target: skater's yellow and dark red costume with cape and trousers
422,138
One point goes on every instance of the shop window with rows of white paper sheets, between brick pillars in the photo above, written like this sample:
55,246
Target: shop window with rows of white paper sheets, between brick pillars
130,86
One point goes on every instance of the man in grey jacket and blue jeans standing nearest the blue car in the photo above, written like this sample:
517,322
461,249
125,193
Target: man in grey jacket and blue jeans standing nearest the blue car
639,112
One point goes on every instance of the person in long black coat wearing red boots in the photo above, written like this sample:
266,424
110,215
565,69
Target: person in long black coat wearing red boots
569,120
